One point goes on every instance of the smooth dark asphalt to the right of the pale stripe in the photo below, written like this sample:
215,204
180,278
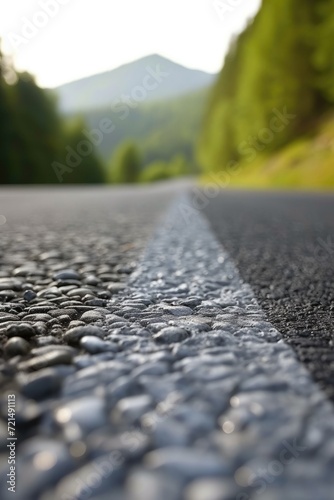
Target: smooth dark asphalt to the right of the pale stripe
283,246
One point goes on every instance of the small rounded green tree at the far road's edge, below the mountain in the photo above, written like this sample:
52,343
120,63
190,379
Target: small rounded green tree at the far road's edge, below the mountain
125,165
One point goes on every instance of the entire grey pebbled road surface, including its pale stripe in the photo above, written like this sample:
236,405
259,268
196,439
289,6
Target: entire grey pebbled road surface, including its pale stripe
143,367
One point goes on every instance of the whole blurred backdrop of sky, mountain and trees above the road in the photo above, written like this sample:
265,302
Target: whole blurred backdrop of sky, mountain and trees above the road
236,92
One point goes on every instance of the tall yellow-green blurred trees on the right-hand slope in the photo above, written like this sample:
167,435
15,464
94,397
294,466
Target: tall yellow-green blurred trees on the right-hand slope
277,81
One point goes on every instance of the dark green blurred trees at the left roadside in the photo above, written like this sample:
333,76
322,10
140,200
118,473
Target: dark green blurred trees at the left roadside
33,136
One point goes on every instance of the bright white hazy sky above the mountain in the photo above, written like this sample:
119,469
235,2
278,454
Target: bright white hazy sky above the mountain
71,39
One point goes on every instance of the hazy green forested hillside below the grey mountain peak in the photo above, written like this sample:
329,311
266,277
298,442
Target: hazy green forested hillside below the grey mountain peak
162,129
